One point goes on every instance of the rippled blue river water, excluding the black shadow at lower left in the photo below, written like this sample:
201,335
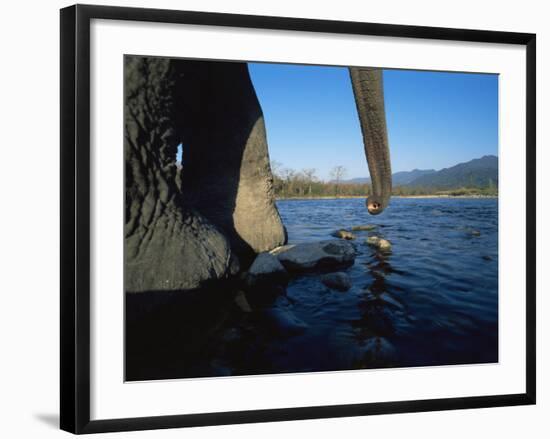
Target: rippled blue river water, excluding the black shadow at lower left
432,301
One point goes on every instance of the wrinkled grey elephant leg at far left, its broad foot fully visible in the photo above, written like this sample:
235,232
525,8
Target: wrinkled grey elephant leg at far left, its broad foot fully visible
168,246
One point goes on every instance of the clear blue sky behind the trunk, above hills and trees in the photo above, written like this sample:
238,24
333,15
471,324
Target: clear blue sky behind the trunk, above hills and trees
435,119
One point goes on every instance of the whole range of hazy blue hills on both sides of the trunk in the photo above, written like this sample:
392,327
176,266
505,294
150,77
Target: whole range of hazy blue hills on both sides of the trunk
482,172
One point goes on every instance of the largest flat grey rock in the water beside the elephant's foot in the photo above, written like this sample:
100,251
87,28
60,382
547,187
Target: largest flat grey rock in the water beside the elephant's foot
329,254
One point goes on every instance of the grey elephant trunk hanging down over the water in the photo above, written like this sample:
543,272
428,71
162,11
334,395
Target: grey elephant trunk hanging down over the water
369,98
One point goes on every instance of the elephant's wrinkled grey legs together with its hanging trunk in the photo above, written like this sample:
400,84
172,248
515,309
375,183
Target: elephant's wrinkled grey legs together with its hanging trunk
187,227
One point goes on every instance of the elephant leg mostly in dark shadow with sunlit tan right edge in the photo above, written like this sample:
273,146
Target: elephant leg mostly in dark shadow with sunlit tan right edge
226,171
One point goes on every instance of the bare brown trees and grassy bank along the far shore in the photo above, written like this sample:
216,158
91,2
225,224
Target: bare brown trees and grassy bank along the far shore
289,183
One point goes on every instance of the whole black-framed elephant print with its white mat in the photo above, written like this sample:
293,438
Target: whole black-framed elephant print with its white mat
272,218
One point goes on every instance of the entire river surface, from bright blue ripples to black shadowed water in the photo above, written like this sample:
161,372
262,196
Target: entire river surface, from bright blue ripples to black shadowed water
432,301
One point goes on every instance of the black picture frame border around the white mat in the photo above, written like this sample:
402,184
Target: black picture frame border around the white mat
75,217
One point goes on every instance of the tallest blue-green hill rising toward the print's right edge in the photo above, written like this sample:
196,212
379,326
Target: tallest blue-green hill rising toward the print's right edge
482,172
